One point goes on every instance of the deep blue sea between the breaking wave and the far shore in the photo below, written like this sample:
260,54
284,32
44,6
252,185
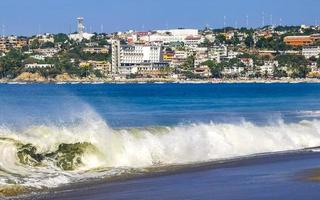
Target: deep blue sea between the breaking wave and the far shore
139,105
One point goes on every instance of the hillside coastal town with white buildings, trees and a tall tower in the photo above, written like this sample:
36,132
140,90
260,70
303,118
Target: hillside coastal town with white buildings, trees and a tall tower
269,53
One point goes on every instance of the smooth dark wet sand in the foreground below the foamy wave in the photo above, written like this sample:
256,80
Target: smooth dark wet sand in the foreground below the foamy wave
278,174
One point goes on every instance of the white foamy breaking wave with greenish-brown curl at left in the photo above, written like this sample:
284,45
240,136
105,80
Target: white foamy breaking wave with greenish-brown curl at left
48,156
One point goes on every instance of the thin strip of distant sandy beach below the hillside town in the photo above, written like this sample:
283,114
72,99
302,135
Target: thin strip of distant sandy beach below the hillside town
162,81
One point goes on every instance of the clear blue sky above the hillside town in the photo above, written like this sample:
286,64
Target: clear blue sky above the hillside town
27,17
